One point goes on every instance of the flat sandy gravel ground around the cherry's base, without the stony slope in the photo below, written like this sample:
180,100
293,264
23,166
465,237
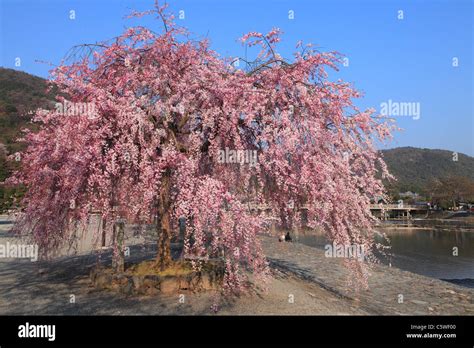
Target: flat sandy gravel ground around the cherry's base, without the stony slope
47,288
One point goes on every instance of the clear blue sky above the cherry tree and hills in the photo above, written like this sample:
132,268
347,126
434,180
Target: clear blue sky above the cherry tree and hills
402,60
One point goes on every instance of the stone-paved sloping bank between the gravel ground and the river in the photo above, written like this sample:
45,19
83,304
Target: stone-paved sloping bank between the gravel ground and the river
391,290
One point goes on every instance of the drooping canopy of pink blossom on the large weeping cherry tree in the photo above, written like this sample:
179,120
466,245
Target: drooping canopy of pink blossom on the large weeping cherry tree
165,106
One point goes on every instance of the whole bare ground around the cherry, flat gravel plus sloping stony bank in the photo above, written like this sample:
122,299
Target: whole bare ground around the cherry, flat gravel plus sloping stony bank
304,282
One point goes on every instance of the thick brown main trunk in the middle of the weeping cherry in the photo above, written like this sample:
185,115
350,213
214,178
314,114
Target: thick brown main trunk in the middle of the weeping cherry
164,224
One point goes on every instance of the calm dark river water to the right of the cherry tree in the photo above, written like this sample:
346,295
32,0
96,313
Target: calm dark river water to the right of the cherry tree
428,252
